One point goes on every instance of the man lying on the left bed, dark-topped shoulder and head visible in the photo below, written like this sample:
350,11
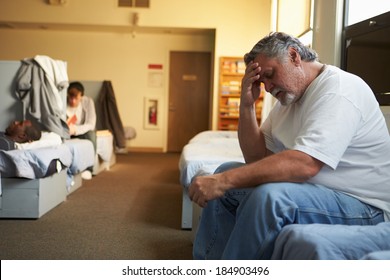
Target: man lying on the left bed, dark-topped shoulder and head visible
19,132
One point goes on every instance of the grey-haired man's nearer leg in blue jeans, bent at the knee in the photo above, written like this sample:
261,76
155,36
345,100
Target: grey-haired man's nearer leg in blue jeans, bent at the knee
269,207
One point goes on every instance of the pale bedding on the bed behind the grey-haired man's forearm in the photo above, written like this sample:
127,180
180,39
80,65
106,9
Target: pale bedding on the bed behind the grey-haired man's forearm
206,151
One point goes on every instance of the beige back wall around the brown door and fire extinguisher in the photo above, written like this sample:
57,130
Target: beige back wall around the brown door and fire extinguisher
118,56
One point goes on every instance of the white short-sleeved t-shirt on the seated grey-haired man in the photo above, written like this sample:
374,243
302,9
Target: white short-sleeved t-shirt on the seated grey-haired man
338,121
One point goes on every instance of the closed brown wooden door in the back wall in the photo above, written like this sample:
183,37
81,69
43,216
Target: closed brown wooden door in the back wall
189,97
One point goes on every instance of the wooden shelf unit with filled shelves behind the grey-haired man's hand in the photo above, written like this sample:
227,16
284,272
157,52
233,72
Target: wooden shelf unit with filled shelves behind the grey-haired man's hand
231,71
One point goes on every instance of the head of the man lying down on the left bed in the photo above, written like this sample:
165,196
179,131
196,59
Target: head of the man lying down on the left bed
23,131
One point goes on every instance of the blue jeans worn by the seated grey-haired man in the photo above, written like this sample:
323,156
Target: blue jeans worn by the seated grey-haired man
244,223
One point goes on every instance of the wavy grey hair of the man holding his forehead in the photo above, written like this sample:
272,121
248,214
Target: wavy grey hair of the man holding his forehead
276,45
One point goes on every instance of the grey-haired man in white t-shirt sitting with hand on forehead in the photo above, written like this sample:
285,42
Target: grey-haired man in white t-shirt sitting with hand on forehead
321,156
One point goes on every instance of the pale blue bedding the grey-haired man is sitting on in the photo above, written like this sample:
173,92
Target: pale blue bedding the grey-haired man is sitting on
332,242
